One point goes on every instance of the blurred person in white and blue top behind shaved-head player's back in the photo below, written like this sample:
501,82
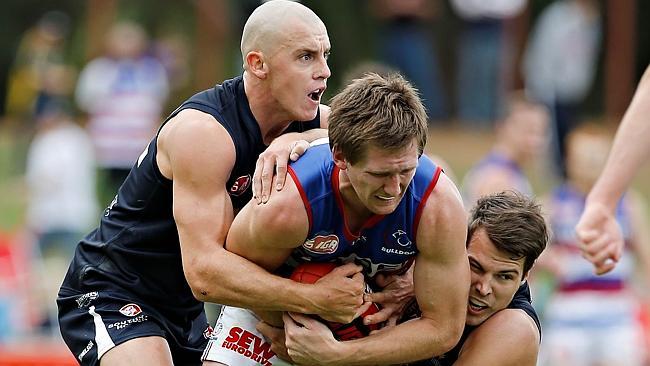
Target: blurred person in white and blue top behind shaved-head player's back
124,93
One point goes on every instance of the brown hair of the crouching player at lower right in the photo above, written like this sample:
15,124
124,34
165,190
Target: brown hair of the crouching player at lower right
513,222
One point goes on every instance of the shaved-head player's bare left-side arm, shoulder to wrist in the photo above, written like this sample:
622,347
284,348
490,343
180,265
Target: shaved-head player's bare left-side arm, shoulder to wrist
203,212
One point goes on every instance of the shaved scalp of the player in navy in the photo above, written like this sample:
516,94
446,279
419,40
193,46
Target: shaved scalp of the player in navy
268,24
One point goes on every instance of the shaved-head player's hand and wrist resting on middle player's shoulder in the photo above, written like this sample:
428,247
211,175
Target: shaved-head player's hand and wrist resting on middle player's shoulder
285,147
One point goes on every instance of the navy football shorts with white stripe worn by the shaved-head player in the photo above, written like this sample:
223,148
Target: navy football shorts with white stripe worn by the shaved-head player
94,322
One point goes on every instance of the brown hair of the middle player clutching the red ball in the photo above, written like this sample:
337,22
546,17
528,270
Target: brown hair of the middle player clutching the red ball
383,111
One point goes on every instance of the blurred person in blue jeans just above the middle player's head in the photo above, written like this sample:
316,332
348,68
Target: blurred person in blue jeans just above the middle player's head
406,43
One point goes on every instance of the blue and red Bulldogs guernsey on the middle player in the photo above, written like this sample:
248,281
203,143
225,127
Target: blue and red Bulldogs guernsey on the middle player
384,244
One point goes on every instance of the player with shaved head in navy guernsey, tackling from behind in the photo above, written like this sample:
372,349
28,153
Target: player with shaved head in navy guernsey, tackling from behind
136,285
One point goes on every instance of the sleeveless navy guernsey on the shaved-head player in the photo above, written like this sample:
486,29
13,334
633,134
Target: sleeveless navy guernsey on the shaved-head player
135,251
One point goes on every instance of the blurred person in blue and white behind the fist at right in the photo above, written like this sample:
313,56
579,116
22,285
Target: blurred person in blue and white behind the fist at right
590,319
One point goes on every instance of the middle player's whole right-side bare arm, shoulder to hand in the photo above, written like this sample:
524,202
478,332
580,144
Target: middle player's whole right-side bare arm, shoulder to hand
441,279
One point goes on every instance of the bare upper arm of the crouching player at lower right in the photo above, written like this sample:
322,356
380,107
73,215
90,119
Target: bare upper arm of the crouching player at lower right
508,338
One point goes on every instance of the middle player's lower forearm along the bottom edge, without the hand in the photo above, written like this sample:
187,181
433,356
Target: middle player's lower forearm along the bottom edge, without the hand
408,342
